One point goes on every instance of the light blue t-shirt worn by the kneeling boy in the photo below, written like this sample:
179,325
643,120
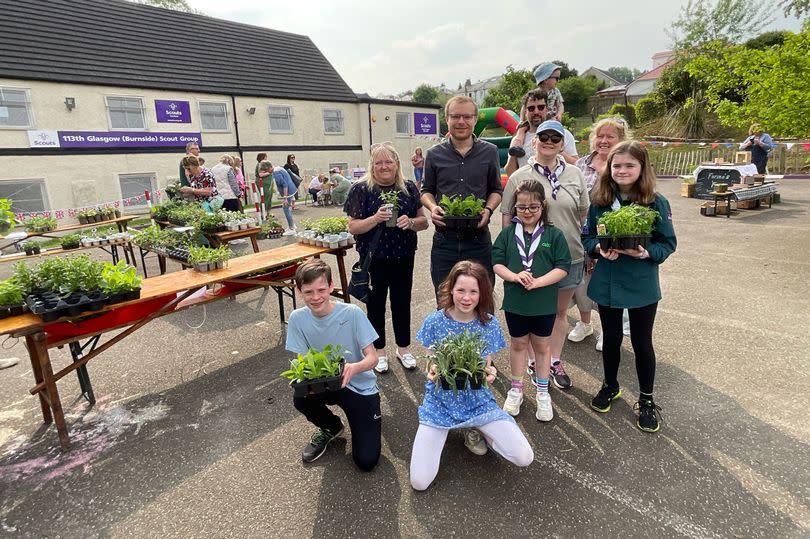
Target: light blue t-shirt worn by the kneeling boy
347,326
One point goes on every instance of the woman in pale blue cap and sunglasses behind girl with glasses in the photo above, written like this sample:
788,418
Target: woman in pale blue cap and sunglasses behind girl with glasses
568,201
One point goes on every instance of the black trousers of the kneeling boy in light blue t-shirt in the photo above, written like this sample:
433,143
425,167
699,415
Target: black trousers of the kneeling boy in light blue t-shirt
363,413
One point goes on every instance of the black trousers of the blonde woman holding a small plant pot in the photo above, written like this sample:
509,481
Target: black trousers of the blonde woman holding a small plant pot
394,275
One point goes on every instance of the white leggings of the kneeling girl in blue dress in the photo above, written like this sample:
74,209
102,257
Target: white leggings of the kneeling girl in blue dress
502,436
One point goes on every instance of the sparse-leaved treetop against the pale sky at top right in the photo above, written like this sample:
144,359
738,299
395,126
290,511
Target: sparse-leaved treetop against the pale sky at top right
702,21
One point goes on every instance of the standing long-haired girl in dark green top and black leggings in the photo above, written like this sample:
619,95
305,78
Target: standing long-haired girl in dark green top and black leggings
627,278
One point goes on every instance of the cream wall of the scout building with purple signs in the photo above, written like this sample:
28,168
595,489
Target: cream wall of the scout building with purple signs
50,162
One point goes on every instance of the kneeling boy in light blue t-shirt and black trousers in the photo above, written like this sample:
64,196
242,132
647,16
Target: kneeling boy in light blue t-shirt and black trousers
322,323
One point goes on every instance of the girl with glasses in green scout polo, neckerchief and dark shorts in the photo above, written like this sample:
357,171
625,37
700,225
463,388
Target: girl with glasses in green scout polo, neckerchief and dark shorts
531,257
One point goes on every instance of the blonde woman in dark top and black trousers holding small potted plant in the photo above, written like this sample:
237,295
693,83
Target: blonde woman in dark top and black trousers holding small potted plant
385,213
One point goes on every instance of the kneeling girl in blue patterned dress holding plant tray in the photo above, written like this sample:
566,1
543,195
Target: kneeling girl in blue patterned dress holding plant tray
463,327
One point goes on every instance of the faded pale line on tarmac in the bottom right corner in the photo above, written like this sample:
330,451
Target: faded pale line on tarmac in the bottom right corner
765,490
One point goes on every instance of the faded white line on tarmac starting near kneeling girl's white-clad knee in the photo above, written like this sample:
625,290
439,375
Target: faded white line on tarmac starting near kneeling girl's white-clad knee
649,511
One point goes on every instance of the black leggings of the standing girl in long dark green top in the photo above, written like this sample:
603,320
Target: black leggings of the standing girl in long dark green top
641,324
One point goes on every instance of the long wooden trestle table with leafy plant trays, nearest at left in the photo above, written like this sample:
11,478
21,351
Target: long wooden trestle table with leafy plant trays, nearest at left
74,301
